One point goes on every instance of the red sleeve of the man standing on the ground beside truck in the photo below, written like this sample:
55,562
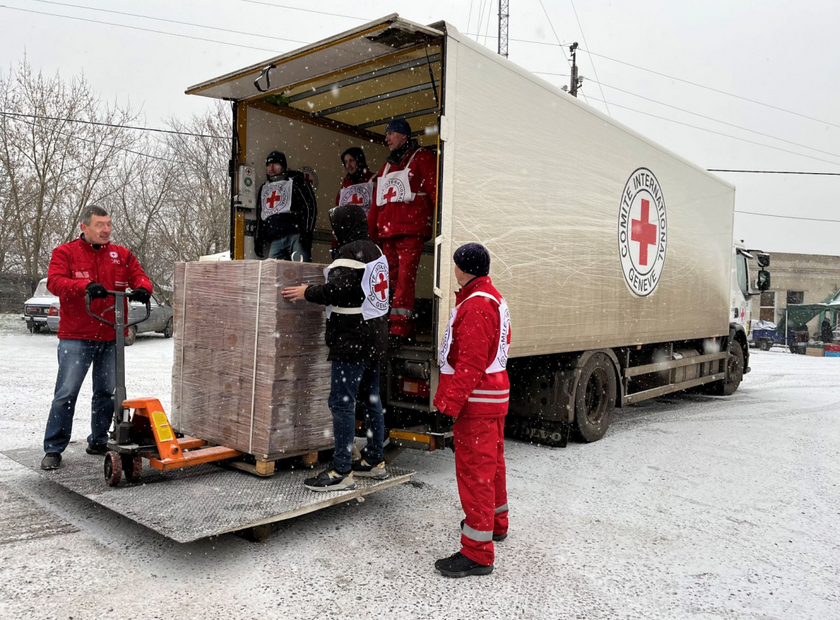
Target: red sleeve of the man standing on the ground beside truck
475,334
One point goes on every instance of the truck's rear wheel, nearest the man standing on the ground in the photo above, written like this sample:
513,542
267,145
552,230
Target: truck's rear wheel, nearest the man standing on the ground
595,398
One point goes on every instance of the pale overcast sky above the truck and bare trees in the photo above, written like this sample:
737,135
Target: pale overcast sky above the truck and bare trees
780,53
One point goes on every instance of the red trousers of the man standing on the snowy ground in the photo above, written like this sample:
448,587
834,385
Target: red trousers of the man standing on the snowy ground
482,484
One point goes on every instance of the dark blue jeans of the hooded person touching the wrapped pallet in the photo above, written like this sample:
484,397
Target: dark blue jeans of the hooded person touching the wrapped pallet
349,381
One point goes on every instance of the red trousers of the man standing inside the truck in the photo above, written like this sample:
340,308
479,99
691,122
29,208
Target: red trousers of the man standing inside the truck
403,255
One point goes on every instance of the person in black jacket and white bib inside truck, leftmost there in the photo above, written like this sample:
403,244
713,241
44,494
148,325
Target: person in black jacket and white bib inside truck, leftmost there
287,212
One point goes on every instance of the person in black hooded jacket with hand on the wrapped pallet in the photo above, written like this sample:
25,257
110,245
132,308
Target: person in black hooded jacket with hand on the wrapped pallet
356,296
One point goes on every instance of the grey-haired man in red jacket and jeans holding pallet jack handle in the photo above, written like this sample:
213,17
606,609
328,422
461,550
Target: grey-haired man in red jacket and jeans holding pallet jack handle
90,265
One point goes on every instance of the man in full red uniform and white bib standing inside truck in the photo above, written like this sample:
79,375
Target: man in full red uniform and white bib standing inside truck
401,219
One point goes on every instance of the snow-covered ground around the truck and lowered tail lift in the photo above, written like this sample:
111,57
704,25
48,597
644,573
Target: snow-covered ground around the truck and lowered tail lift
690,507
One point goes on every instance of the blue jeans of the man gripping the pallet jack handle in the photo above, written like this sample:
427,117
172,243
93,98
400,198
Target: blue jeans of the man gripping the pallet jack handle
74,359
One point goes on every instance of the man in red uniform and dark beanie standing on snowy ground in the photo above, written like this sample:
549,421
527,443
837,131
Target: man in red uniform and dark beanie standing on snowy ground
474,389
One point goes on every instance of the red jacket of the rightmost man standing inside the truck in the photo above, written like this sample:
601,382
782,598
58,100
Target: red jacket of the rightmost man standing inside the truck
415,217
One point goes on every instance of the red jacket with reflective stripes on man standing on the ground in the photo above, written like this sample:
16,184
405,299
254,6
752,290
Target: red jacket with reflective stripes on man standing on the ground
471,391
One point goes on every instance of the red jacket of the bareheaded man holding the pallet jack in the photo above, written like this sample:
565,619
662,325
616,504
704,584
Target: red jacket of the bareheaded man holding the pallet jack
76,264
